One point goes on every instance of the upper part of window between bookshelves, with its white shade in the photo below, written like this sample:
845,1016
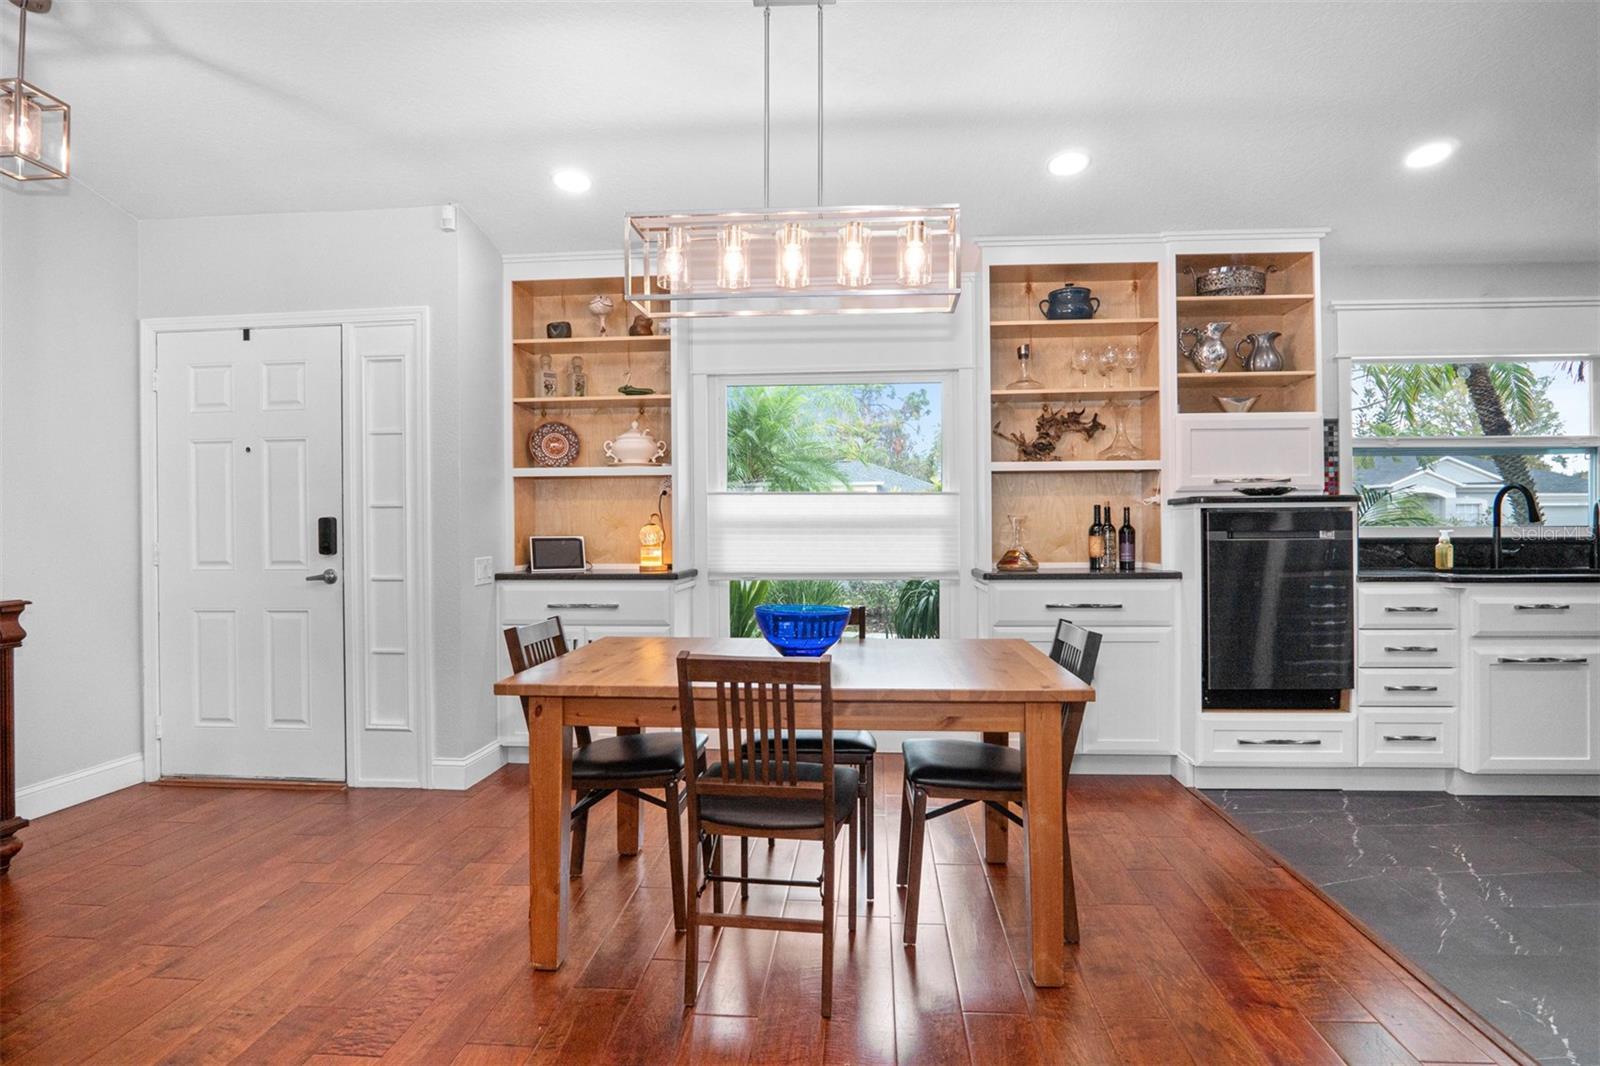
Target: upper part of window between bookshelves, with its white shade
833,479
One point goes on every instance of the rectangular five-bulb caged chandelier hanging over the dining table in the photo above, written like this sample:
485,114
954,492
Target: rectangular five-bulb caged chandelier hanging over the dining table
804,262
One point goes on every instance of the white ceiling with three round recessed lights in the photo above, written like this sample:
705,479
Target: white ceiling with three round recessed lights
1198,116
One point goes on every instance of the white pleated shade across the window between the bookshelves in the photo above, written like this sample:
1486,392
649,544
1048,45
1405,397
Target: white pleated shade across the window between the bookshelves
770,535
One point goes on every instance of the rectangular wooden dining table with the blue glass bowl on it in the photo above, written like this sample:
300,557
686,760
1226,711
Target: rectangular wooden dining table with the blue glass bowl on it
993,687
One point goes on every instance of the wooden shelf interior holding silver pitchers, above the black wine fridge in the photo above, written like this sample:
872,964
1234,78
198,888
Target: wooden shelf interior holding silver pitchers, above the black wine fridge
1287,308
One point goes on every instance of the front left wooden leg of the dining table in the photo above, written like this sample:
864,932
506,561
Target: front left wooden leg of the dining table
550,817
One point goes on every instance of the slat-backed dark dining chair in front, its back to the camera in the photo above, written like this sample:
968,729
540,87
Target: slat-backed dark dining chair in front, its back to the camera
762,788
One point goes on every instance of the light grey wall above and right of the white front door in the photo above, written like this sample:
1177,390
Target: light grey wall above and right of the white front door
354,260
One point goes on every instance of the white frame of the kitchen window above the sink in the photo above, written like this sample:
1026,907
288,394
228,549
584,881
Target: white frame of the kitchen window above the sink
1351,446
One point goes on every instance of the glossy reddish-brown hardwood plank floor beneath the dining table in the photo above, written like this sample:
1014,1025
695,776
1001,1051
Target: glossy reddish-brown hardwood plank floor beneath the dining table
348,928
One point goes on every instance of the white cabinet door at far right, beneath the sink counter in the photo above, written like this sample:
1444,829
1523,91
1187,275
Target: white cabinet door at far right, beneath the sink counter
1534,707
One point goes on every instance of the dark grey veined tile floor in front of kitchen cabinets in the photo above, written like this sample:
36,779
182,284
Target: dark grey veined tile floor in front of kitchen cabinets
1497,899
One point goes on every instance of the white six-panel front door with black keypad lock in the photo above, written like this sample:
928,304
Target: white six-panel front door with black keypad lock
252,636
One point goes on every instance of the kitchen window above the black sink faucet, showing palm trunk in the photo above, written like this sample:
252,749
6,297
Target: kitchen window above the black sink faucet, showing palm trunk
1434,441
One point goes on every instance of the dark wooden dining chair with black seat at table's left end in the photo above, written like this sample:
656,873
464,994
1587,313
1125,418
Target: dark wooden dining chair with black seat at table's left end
614,764
